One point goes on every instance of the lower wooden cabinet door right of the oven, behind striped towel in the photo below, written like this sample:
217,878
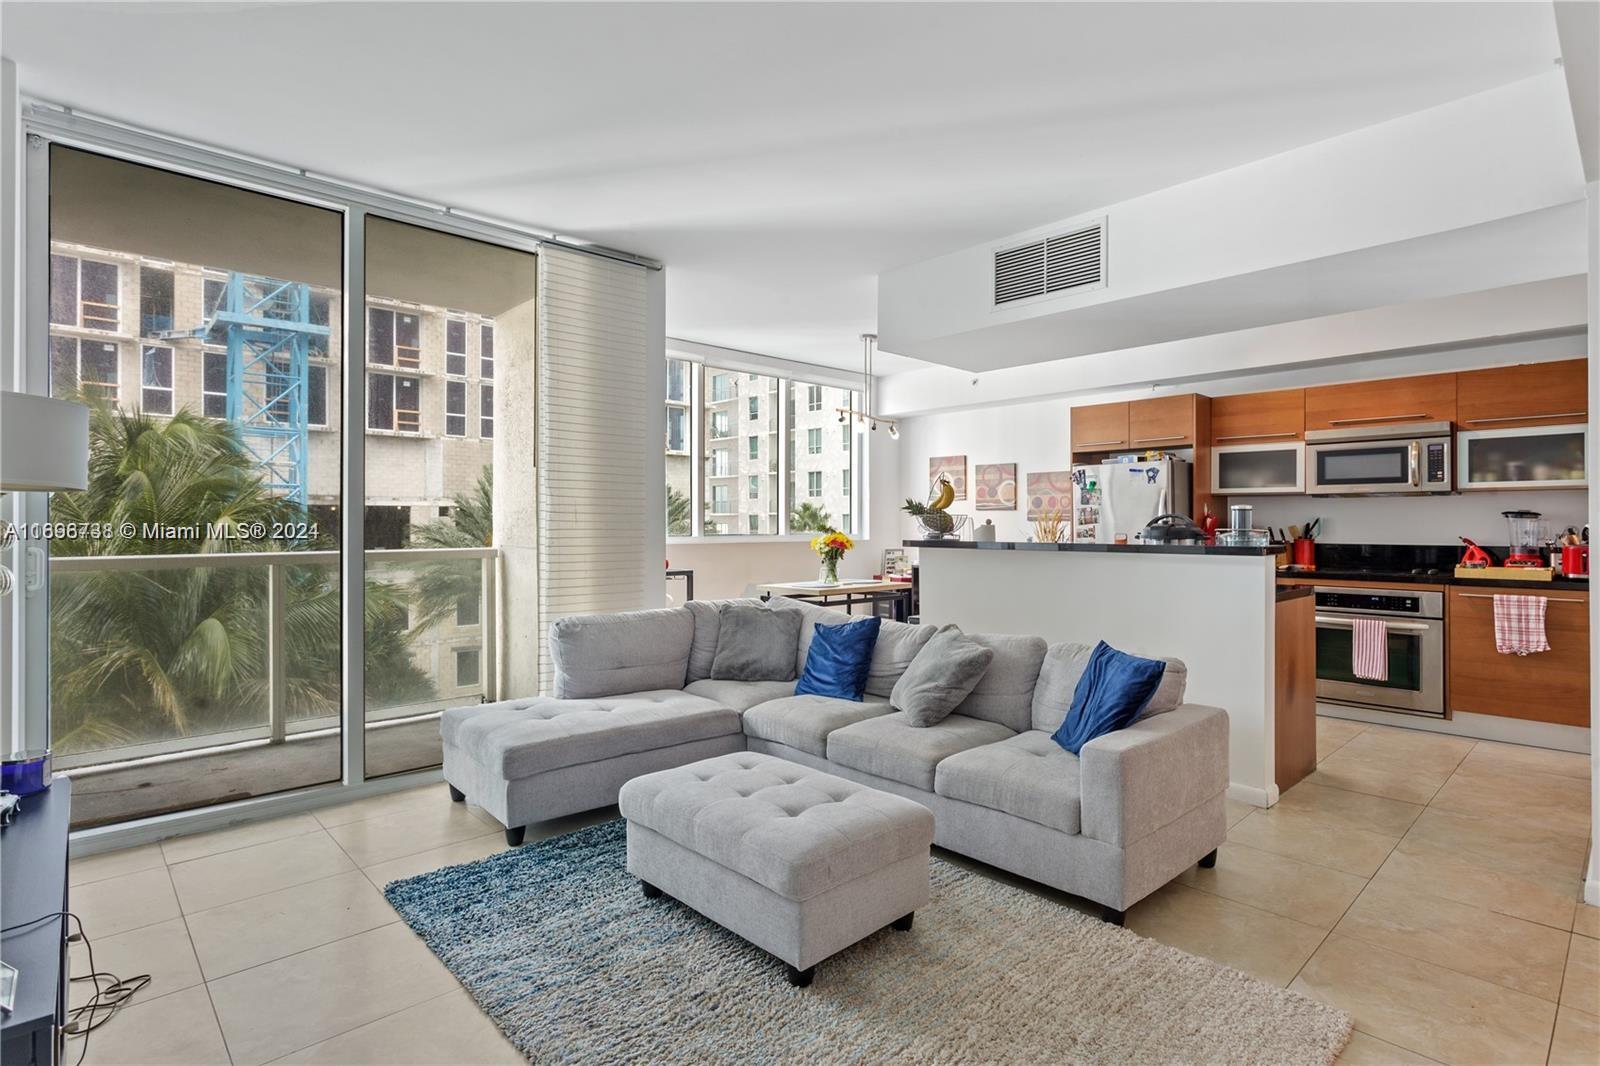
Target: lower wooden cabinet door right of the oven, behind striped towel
1543,687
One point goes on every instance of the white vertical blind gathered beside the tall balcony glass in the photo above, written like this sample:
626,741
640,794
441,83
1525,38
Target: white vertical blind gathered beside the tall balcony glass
594,359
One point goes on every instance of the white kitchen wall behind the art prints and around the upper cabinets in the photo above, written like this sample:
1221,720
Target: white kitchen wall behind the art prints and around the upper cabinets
1038,438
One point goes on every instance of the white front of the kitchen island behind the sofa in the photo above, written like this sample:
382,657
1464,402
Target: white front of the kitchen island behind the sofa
1210,607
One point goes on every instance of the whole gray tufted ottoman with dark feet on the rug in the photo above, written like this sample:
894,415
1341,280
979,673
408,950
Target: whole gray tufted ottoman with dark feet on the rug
798,862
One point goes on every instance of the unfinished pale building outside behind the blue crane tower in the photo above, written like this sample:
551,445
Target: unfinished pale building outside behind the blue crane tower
430,377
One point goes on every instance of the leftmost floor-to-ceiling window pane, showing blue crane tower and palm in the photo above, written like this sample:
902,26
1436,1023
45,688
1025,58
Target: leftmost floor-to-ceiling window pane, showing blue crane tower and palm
196,606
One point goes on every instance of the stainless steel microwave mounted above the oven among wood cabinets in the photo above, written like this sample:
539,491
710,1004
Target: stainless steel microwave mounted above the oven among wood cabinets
1409,460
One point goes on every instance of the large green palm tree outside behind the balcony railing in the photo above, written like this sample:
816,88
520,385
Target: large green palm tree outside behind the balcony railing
151,654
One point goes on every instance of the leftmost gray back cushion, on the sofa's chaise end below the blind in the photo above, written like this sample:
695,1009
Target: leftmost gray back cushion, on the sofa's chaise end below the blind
607,655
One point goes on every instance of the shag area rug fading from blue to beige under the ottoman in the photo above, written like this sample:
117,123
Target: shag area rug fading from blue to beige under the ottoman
561,948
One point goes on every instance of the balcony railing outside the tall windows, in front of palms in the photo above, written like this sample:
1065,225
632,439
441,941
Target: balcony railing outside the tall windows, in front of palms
281,614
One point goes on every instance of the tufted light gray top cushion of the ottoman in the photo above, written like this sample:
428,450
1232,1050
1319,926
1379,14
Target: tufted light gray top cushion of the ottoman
790,828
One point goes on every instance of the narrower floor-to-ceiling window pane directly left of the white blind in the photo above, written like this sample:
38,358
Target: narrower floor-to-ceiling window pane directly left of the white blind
449,342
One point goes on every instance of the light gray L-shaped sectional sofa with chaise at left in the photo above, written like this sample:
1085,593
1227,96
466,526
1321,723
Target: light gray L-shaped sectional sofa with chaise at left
634,695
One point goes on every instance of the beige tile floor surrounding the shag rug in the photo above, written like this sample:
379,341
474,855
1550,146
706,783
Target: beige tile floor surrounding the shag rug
1426,884
